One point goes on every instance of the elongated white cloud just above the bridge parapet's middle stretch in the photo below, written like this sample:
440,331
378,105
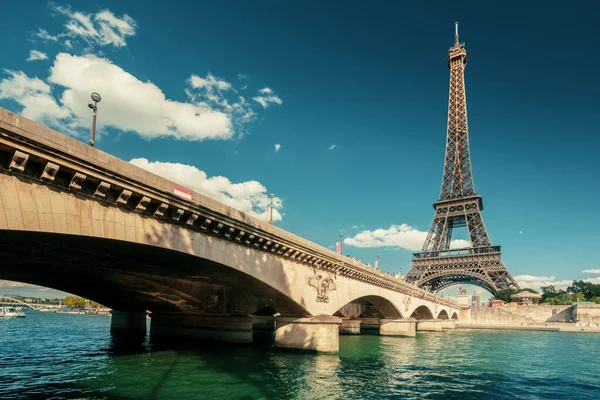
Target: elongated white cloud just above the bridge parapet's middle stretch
250,197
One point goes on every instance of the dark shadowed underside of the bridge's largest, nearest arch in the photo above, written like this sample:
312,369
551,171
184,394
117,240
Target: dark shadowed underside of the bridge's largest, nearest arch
128,276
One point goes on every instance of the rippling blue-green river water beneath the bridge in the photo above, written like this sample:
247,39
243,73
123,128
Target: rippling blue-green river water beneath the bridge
74,356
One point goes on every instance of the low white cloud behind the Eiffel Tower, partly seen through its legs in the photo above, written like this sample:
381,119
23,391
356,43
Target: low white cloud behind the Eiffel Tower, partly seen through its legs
403,236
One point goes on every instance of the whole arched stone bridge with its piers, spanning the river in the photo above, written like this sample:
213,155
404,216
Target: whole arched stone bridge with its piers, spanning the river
76,219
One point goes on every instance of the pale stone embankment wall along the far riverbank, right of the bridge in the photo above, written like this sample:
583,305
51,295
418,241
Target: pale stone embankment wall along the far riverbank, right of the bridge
520,314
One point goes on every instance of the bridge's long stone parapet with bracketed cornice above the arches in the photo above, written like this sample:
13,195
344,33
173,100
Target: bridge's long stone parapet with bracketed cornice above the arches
38,153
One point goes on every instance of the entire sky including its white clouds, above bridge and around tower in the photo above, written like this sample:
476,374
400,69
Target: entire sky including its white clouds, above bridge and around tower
355,99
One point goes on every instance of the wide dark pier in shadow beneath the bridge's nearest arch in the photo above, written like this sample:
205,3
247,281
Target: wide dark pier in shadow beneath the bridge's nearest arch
218,327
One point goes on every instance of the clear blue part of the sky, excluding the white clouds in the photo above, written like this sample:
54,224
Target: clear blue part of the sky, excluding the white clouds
371,77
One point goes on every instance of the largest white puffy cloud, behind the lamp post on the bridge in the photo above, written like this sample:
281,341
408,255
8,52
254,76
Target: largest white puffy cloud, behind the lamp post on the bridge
128,104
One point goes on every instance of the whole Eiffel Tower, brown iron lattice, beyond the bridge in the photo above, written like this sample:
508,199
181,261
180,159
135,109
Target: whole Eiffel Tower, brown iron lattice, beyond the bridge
438,266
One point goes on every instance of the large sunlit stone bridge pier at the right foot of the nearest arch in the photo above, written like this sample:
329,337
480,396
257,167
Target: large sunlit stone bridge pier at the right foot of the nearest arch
320,333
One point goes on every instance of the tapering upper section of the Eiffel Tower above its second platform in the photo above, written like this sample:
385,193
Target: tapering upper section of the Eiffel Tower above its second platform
457,181
